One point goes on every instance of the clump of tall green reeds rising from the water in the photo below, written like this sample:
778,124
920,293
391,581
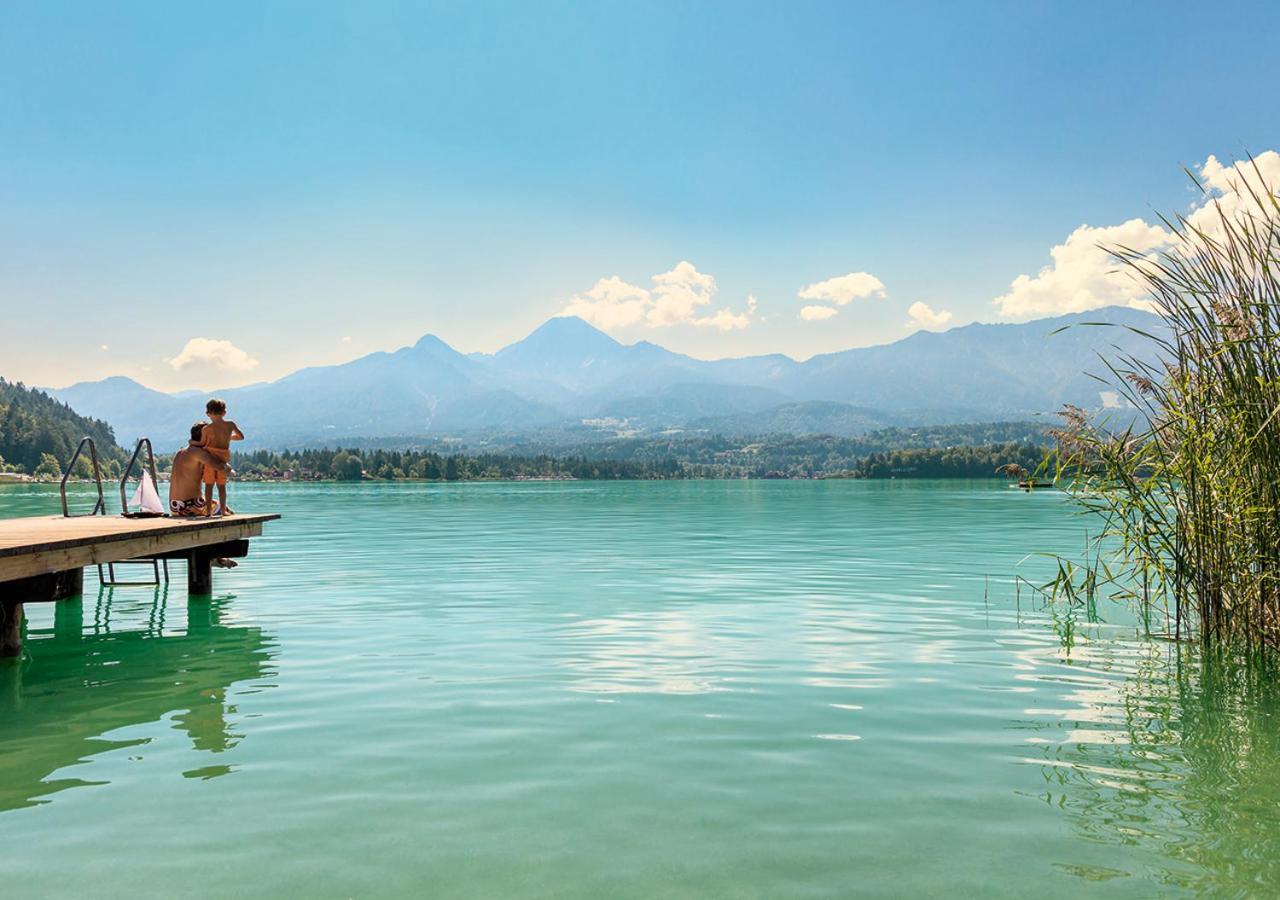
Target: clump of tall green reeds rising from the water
1187,482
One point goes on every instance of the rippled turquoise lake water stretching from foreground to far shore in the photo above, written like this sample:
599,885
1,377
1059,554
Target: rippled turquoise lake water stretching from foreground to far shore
758,689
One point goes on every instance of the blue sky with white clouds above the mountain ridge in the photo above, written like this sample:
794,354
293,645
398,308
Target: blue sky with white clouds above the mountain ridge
209,195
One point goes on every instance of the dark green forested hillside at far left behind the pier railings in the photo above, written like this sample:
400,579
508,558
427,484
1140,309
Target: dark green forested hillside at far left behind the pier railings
39,433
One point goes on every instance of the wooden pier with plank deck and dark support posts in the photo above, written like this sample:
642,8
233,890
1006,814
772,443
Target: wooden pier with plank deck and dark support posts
43,559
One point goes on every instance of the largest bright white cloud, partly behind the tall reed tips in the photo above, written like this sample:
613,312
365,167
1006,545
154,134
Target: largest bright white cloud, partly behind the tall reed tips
1084,276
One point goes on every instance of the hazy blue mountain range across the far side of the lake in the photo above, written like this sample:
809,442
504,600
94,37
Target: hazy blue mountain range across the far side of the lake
570,376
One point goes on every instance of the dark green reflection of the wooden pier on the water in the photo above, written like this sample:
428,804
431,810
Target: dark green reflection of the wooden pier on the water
100,669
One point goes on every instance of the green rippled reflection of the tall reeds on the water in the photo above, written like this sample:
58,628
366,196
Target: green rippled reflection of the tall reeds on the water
1174,751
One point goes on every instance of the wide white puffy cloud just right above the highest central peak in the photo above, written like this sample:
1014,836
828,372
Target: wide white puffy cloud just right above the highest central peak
678,298
